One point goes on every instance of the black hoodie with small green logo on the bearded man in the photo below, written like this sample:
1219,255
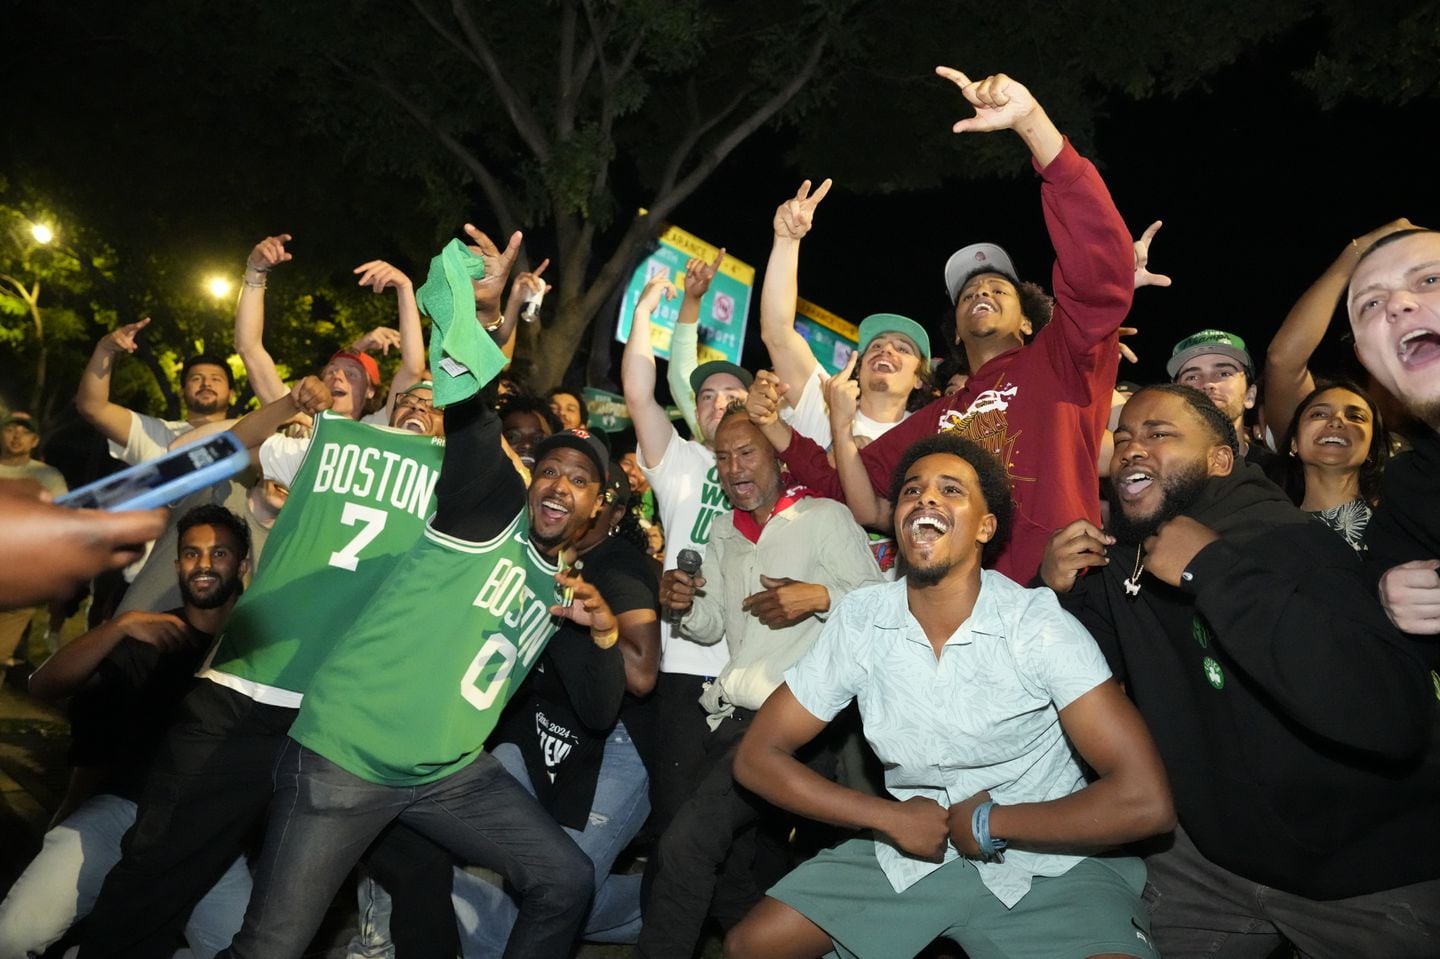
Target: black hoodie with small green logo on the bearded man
1294,721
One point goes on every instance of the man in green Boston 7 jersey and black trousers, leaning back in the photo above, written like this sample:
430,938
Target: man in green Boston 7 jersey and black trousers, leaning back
359,499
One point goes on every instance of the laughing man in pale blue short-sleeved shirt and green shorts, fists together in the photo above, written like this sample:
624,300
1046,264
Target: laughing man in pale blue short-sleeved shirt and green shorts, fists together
981,699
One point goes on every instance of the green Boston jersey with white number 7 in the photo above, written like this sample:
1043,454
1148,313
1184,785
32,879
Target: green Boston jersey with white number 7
356,506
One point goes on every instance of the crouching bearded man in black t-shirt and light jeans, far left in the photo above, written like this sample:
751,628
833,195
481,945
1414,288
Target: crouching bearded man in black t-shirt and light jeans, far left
123,680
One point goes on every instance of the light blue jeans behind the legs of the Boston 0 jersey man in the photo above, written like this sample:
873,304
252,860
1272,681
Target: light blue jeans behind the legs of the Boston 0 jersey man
618,811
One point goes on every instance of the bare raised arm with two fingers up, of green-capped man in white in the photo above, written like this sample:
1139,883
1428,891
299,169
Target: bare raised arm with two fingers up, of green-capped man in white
790,355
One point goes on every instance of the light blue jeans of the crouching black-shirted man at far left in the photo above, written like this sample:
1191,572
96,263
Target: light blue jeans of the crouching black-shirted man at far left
63,882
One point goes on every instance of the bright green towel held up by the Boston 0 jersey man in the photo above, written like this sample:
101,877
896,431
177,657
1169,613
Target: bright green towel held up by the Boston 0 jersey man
463,356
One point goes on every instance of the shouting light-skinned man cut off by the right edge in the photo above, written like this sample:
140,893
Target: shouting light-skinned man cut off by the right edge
1395,312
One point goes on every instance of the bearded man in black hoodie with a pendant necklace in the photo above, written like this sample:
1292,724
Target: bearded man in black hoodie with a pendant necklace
1294,721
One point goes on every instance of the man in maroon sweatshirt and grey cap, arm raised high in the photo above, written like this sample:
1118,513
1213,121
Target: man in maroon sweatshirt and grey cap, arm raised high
1040,369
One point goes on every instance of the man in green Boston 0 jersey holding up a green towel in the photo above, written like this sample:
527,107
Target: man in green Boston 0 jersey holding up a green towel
394,724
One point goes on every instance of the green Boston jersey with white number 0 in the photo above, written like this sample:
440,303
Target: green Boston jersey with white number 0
411,692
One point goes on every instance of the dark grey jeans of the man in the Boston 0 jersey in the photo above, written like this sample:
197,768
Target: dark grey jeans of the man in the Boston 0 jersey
323,819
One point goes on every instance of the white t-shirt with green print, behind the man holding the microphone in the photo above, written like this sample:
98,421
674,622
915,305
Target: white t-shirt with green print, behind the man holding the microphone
689,497
